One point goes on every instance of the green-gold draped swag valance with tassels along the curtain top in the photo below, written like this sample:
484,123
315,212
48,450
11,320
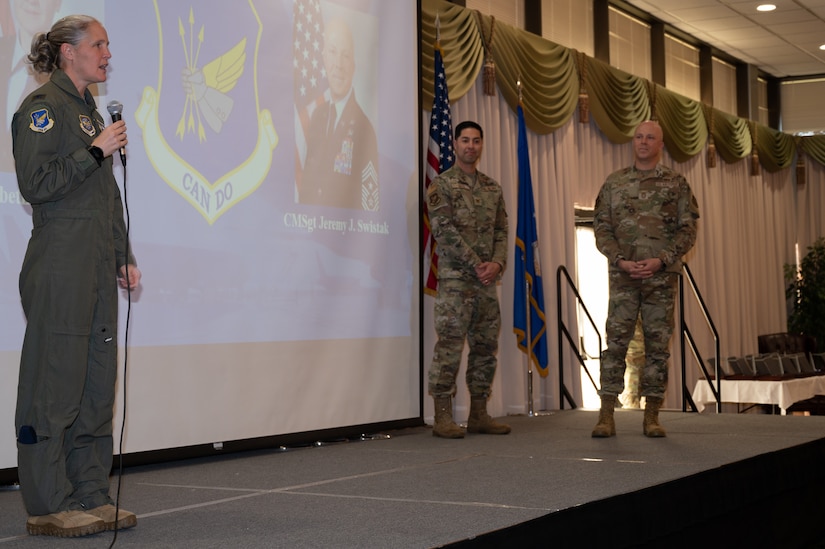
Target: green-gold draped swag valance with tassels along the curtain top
553,78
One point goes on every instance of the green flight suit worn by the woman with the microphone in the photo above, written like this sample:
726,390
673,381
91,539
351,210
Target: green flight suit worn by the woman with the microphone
68,288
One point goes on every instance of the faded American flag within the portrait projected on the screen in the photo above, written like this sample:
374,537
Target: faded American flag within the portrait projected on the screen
308,75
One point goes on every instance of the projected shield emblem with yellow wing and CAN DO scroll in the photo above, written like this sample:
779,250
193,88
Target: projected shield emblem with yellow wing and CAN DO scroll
220,144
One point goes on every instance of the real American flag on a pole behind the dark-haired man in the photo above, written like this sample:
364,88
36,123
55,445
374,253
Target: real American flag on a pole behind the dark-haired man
439,158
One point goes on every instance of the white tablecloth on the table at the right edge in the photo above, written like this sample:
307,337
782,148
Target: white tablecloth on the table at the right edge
782,393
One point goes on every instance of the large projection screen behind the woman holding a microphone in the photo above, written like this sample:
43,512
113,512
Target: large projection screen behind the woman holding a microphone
278,238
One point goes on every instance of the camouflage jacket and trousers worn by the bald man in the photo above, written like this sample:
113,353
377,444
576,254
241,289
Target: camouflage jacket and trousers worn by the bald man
642,214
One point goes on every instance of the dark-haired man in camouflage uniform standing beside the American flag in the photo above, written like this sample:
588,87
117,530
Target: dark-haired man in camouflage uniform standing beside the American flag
469,224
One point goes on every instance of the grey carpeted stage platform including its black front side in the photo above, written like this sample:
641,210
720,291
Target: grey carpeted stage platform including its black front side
725,480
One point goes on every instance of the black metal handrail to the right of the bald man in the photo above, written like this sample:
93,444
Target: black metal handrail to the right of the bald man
684,333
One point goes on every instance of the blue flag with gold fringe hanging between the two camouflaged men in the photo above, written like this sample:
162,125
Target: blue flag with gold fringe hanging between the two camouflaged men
528,266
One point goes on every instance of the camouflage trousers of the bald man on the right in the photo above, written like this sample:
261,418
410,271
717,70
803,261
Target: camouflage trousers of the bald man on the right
651,299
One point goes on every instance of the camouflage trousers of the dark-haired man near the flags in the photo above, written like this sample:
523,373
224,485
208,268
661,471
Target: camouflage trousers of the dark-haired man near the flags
465,310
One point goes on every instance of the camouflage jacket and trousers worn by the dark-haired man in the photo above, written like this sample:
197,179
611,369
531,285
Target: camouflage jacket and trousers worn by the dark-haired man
469,223
